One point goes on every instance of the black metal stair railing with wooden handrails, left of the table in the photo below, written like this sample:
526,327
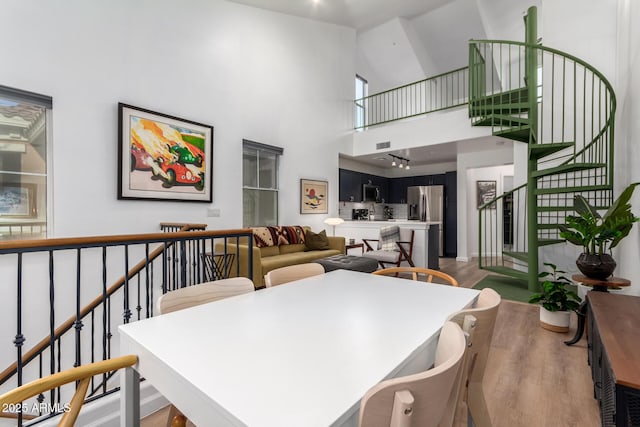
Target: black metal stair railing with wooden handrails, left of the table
55,276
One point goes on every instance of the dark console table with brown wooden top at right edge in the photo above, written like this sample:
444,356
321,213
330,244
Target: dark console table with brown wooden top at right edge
614,355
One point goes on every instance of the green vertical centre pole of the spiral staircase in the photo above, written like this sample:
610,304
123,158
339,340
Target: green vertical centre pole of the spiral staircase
531,73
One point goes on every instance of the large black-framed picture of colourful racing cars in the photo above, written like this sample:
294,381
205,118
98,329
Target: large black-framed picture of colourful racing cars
163,157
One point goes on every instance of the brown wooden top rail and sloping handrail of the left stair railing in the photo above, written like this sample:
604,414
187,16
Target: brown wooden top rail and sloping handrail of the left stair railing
97,241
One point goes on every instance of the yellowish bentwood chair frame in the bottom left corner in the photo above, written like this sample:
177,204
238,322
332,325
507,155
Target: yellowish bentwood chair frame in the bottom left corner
81,374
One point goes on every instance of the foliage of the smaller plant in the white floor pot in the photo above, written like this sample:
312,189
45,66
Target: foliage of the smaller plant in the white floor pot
554,295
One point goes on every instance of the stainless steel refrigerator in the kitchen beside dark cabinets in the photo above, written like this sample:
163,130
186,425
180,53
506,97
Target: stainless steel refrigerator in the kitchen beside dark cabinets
425,203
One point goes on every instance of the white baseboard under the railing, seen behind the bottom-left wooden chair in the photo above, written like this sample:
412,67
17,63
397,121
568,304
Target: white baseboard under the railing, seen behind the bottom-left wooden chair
105,412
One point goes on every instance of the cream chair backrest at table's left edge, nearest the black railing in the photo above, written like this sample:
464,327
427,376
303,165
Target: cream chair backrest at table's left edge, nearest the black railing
203,293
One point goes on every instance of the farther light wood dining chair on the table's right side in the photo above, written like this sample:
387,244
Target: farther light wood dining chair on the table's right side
478,324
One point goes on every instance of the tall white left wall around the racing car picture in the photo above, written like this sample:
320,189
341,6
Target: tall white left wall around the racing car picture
250,73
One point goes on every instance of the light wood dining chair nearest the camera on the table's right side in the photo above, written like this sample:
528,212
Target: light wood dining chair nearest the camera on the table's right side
419,399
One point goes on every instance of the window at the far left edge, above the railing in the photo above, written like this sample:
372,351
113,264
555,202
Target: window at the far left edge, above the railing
23,164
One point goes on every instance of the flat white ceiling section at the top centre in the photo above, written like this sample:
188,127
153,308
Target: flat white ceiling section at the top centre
358,14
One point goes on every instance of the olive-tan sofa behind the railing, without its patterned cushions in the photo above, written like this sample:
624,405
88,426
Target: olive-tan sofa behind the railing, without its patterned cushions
279,255
